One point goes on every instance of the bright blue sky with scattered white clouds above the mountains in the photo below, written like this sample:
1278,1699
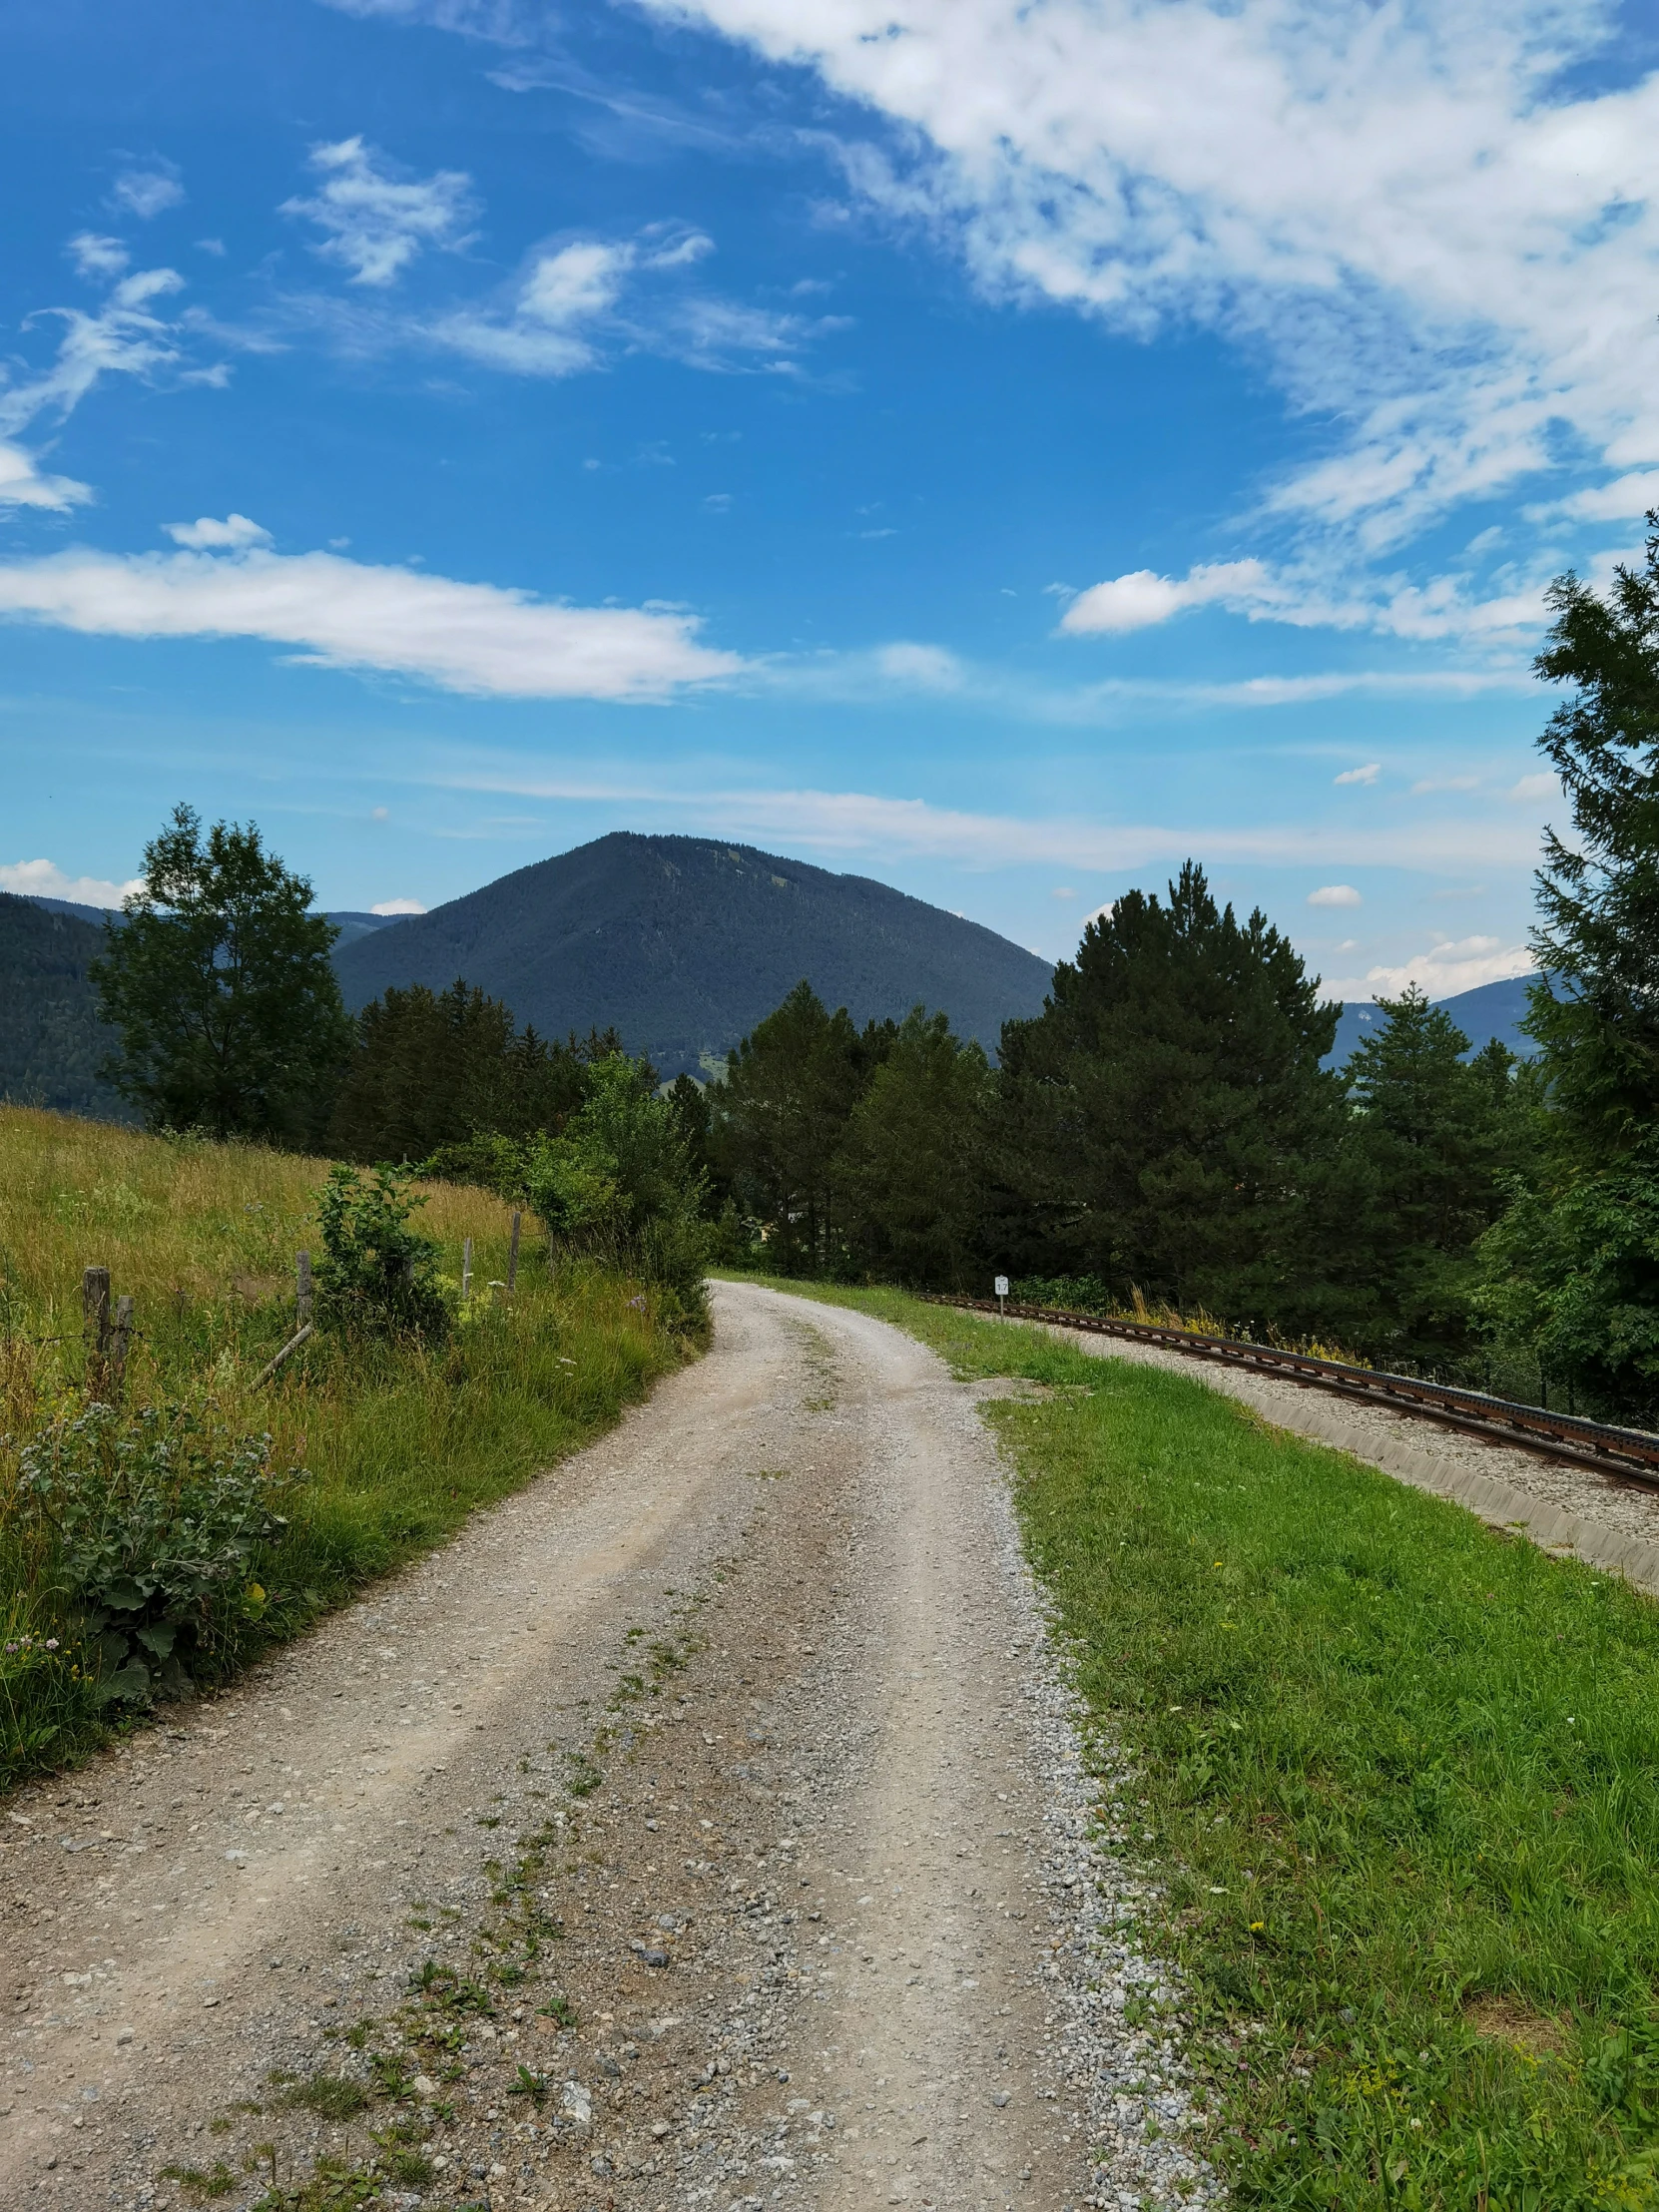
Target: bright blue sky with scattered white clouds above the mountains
994,448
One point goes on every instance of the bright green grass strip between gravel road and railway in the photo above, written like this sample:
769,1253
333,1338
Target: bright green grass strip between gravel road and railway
1399,1780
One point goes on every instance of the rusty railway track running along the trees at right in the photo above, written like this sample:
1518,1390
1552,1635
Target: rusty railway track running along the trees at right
1499,1421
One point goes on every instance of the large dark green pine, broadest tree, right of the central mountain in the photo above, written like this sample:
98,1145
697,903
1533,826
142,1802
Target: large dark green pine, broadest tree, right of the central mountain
1165,1118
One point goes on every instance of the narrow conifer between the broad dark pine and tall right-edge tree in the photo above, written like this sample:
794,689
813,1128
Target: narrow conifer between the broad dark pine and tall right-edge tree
1434,1136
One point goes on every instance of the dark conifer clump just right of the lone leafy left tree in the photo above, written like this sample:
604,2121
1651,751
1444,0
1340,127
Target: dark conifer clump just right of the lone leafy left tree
439,1070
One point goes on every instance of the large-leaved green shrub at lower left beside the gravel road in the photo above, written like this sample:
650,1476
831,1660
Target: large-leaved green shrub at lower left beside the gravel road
154,1521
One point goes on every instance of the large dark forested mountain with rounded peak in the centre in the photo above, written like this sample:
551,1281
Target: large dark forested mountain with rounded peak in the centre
687,943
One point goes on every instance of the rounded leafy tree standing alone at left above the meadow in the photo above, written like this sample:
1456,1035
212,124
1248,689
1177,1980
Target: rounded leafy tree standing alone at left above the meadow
222,990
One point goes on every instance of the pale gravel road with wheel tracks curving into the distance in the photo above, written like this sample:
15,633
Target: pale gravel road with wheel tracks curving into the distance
702,1828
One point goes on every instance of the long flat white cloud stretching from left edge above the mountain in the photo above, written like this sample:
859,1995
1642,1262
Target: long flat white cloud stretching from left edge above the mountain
466,638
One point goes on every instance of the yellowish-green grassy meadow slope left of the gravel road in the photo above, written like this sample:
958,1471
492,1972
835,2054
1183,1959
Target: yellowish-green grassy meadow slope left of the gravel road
401,1437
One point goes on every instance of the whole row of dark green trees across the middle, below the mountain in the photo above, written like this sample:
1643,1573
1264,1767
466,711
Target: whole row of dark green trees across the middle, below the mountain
1165,1131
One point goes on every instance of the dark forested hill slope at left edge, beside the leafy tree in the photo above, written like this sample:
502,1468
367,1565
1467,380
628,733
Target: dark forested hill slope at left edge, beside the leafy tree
50,1032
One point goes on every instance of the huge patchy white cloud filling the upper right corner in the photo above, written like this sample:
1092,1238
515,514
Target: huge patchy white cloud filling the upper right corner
1439,225
